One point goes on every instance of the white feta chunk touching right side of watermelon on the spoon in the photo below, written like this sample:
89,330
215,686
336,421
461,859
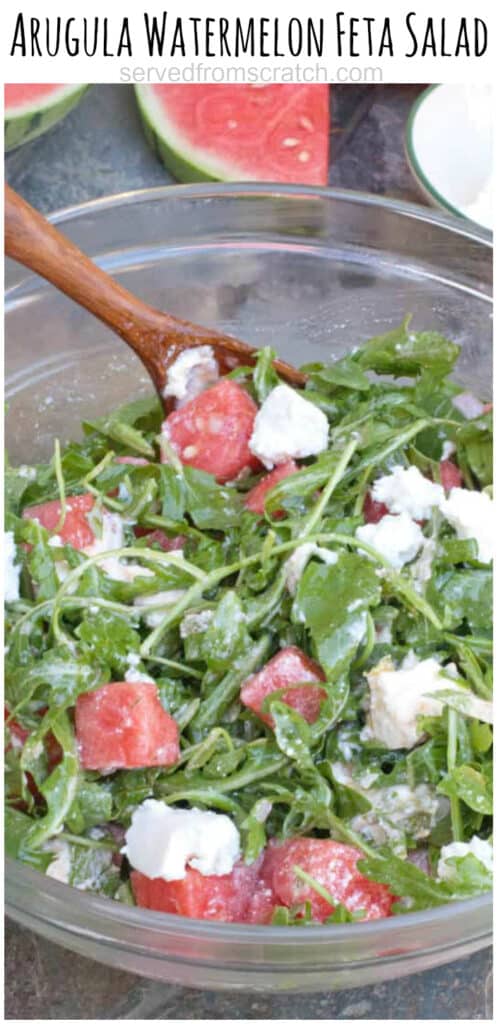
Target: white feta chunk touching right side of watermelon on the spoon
287,426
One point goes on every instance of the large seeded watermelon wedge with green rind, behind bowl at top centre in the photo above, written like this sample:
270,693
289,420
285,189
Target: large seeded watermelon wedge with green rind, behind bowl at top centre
239,133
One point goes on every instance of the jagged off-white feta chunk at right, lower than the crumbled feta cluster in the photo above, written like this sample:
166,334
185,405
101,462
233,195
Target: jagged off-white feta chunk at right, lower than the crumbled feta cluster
398,697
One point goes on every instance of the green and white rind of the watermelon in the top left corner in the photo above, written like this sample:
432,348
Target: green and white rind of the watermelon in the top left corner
27,122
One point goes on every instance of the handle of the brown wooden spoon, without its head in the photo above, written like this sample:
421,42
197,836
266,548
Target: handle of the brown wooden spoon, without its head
31,240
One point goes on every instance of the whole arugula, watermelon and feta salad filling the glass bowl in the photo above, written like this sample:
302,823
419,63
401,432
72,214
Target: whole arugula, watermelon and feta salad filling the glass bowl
248,664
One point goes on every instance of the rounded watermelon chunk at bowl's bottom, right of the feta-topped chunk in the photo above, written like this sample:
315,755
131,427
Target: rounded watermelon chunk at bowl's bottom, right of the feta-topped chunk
334,866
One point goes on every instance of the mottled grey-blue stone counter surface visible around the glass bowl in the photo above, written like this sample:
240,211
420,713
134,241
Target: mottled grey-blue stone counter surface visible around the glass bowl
97,151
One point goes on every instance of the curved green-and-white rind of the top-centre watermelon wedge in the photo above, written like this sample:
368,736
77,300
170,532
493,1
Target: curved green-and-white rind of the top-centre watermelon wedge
185,163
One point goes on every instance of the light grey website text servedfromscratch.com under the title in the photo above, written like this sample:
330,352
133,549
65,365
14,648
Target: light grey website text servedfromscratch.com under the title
199,72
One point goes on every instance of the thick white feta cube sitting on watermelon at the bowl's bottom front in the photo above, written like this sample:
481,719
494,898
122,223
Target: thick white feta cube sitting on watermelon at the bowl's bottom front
162,841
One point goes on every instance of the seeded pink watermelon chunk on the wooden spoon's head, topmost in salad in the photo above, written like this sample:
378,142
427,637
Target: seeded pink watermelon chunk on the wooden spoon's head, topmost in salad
213,432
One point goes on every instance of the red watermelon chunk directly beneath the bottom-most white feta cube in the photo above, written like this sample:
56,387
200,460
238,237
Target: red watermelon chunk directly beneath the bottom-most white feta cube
210,898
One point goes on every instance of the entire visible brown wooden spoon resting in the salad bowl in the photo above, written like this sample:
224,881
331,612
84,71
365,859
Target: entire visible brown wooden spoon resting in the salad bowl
156,337
